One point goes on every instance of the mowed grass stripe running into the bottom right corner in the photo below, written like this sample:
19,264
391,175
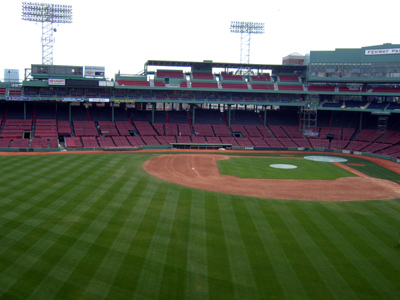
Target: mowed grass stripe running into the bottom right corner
370,281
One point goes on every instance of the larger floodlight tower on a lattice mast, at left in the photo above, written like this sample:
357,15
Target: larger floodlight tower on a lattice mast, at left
47,14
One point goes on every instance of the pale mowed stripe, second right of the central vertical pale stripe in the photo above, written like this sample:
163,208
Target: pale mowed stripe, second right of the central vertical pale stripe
281,265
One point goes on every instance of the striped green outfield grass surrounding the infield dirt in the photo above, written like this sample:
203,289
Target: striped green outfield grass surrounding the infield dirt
99,227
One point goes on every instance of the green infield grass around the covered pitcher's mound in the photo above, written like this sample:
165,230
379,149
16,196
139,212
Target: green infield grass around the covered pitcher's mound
256,167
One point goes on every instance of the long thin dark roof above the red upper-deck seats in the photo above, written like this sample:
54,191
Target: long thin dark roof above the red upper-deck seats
211,64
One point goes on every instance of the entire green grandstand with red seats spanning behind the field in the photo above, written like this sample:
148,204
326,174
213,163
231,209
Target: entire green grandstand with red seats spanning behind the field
327,103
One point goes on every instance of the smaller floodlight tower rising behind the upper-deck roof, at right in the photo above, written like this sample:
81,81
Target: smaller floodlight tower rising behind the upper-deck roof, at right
246,29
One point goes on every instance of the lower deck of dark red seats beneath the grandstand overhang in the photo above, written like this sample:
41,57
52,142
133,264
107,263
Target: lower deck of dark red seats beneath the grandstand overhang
47,128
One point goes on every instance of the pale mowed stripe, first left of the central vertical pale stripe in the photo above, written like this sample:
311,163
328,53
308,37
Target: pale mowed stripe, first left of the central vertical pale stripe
152,272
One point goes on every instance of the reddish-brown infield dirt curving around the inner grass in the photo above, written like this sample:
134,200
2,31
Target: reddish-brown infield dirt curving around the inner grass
201,171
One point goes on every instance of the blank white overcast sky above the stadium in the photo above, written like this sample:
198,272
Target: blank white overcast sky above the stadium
123,35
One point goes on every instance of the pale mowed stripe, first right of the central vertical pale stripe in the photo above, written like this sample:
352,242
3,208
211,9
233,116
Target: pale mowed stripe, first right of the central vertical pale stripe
241,271
